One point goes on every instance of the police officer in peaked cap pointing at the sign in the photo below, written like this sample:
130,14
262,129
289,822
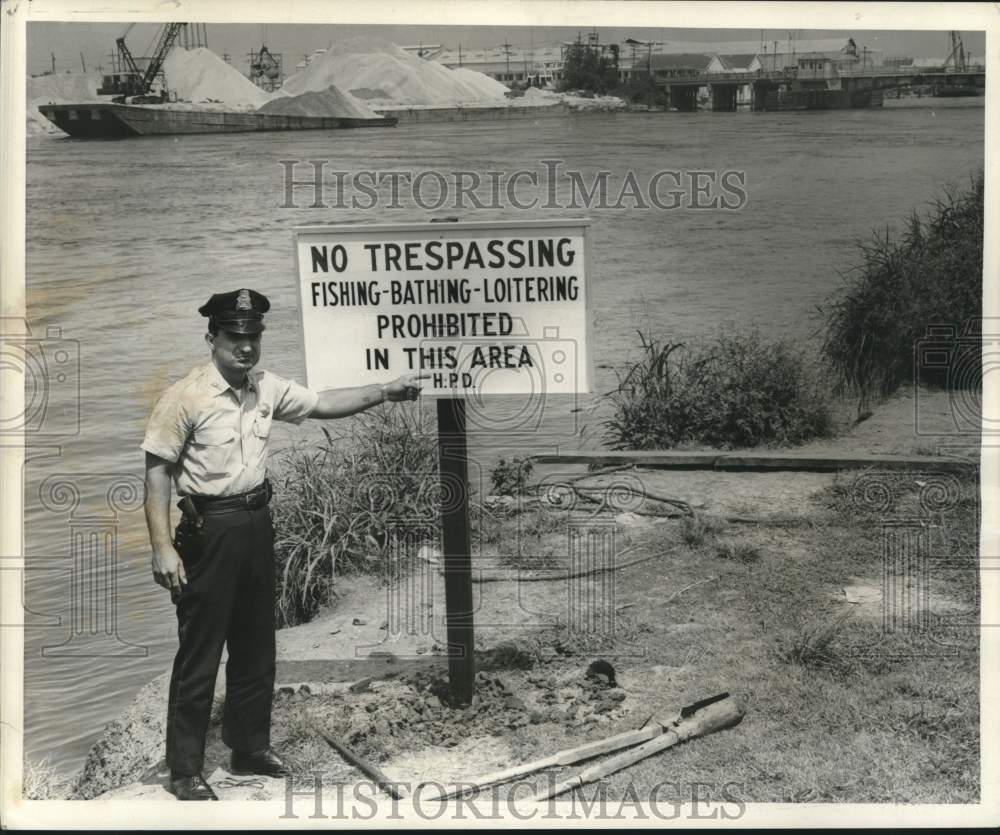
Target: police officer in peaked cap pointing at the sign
209,434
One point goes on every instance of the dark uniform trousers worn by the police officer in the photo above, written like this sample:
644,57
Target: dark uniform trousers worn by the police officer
228,600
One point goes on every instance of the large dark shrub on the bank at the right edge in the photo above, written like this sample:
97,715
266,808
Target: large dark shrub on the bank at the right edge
931,275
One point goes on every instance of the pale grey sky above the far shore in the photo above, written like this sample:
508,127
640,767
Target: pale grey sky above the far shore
95,40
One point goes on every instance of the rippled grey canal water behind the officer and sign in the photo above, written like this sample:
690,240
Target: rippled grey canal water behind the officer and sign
126,239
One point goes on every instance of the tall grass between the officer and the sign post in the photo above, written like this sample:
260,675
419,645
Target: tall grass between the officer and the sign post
337,505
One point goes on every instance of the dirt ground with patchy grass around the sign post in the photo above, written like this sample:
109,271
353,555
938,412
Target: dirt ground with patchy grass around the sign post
859,678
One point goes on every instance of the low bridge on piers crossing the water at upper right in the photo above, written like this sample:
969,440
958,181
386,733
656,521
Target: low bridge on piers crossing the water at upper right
796,89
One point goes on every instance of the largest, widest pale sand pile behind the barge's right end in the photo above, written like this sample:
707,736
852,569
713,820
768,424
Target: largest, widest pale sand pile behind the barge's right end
383,72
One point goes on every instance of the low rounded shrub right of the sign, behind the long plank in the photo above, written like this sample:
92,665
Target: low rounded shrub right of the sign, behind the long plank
739,390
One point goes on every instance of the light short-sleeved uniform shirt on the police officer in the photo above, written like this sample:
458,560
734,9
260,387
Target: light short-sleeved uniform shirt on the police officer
215,436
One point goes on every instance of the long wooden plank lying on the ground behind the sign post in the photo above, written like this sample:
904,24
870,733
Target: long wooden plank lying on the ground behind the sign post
756,461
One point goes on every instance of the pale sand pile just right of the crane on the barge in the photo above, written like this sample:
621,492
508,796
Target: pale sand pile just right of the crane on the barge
199,75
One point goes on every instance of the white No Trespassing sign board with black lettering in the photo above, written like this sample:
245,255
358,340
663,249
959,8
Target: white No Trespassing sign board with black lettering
483,308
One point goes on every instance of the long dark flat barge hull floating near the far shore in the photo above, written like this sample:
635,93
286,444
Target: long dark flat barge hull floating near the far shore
97,120
